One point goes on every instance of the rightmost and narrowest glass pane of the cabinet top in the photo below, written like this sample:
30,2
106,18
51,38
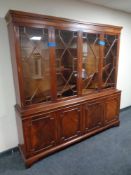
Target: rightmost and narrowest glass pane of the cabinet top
109,65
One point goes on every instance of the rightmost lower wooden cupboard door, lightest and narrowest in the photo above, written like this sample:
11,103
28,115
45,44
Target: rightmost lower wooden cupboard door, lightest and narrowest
112,109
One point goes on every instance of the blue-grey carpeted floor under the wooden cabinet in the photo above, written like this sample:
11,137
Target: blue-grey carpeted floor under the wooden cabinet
107,153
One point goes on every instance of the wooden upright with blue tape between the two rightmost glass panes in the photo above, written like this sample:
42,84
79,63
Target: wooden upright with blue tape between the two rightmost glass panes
101,59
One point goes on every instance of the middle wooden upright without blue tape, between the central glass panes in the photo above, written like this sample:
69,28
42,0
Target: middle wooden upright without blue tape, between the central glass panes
79,62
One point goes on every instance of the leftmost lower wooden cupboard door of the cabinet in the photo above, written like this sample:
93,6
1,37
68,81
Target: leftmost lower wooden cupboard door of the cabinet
43,132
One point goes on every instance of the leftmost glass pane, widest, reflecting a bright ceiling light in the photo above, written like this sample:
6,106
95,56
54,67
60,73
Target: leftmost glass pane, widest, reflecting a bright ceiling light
35,64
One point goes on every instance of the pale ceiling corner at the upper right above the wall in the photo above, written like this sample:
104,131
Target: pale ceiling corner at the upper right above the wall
123,5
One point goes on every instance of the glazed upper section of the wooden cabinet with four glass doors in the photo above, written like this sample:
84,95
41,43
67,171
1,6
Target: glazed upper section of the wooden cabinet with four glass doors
56,59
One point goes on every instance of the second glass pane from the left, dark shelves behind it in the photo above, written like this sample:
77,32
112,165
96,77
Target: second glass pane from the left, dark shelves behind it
66,63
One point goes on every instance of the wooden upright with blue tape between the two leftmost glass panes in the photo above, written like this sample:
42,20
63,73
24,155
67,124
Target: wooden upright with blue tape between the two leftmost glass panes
51,45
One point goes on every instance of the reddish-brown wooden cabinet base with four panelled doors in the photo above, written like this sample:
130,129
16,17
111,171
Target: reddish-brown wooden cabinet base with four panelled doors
46,132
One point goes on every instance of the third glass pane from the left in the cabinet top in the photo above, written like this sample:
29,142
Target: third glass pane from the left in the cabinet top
90,63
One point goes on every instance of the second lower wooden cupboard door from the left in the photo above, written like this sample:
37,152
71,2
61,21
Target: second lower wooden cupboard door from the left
70,123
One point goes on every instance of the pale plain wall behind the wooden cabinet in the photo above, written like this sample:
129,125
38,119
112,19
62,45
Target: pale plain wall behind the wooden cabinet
68,9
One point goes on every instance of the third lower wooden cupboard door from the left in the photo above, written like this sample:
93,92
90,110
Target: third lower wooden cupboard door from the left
93,116
